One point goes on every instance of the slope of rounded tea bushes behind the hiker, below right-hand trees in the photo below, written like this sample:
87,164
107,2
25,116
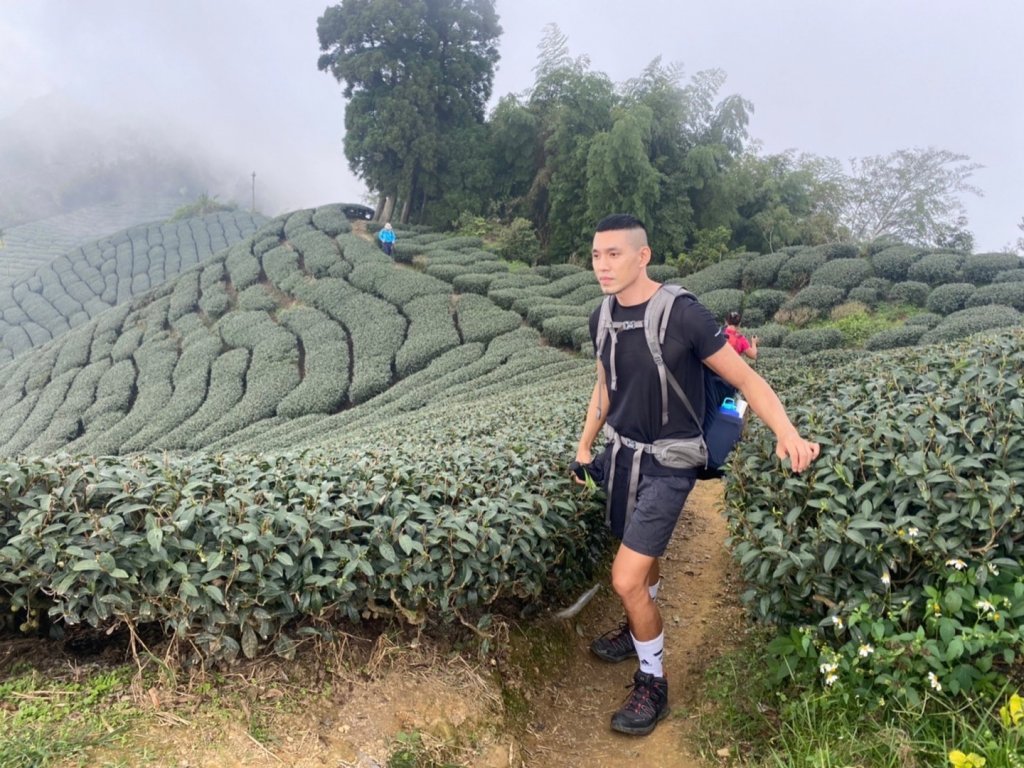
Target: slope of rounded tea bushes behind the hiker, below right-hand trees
809,300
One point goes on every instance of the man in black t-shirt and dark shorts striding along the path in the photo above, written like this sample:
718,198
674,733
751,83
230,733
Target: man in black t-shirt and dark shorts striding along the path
628,400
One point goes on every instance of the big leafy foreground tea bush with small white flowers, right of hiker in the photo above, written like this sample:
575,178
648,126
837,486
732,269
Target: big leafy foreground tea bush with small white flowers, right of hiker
906,536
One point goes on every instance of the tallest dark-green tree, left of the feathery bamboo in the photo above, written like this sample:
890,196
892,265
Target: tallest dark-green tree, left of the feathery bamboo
415,72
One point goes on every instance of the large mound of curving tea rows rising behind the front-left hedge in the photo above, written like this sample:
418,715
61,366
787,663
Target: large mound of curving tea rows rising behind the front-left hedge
287,324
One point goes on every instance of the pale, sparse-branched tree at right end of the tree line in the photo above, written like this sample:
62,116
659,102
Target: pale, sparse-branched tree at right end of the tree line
911,196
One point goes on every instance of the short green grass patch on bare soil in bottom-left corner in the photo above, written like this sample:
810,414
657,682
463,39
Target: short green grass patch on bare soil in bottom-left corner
45,721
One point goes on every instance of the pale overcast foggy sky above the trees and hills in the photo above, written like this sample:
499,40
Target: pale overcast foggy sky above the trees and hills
840,79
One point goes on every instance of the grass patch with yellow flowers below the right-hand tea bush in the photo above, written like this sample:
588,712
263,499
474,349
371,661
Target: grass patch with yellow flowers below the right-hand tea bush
764,724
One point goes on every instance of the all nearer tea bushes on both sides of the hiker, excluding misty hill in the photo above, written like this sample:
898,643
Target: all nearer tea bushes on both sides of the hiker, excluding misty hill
300,431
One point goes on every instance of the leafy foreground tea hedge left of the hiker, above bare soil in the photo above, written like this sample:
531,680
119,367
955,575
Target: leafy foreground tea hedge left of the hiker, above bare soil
232,556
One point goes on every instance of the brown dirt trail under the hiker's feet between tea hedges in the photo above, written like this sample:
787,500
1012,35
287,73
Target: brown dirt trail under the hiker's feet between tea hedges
701,612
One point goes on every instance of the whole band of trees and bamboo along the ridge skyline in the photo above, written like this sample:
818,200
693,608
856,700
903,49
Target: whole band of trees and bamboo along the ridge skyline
577,147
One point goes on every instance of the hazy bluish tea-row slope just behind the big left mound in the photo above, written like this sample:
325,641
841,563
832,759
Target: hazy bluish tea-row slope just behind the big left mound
87,281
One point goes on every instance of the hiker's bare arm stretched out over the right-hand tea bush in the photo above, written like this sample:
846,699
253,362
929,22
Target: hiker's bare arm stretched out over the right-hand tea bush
766,405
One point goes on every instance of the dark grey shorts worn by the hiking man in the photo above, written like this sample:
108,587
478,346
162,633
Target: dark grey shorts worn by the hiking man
660,502
